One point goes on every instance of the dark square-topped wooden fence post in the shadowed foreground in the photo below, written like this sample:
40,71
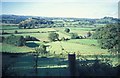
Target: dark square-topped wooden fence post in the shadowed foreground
72,64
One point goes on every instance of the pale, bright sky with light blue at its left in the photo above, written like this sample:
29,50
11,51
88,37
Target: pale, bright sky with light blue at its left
62,8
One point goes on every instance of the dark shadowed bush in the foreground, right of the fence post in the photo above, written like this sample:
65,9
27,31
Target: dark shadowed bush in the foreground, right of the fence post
98,68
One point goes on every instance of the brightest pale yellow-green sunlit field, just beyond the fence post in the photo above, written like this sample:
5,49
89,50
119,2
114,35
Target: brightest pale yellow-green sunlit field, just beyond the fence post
76,47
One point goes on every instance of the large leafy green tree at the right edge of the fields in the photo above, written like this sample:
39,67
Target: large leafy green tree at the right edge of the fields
109,37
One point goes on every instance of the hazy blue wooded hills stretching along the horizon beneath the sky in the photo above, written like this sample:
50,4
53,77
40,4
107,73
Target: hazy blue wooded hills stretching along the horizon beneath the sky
37,21
